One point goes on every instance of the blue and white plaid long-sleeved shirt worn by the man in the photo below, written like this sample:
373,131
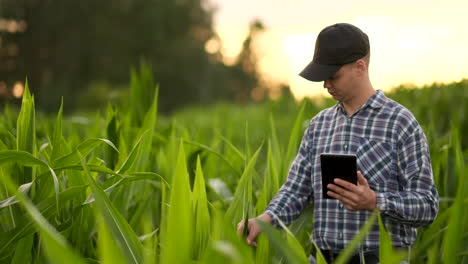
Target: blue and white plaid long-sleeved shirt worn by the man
392,154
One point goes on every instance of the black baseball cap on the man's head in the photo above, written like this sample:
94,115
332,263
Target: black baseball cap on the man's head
336,45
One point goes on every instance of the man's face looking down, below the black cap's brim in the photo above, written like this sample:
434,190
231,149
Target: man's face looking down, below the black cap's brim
340,86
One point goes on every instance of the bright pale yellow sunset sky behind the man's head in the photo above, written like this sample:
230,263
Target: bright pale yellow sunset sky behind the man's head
418,42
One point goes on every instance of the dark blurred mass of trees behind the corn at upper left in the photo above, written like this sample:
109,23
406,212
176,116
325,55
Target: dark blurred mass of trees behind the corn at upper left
63,46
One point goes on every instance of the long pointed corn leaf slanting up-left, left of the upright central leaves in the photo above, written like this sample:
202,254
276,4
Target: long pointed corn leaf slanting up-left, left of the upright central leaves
120,229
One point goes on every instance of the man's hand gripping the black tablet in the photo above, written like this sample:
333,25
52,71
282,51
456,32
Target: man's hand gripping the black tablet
354,197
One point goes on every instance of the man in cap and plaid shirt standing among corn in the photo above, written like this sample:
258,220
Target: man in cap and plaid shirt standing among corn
394,167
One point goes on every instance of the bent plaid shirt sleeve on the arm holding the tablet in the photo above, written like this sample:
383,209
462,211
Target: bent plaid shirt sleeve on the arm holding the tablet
418,202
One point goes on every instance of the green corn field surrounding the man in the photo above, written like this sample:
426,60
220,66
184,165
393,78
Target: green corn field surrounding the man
132,186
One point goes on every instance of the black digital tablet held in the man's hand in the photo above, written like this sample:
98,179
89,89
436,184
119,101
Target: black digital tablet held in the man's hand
333,166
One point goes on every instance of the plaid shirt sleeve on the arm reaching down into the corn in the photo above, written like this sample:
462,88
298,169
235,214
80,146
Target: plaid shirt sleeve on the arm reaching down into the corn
296,193
